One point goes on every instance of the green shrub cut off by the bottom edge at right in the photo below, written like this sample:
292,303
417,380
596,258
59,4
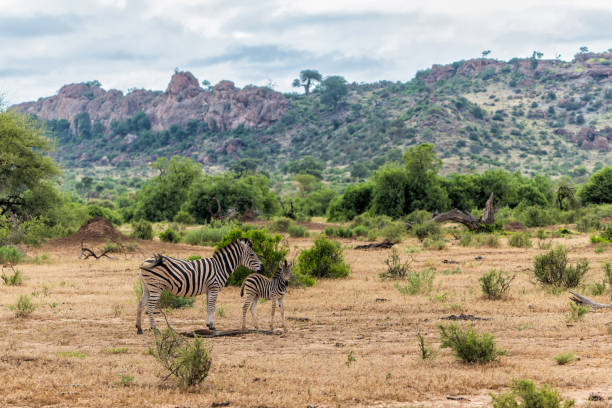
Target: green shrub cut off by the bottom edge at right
530,396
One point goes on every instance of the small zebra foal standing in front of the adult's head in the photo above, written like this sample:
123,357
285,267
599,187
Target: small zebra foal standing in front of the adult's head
258,286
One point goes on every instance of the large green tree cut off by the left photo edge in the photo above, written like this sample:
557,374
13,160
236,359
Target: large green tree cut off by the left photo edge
26,173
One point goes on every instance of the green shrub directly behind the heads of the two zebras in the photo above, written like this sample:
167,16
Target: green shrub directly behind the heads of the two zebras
268,247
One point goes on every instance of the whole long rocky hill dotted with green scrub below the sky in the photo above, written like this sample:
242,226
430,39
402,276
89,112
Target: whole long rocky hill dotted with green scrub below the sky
537,116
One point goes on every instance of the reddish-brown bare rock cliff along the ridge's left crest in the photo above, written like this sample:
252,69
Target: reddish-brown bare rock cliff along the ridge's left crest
224,106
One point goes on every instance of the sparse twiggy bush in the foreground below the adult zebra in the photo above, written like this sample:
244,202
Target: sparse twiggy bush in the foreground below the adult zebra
189,363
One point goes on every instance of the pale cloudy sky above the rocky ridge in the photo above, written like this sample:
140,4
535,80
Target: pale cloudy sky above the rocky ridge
138,44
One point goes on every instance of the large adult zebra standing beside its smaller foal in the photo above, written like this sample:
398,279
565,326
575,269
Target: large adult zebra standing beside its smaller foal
192,278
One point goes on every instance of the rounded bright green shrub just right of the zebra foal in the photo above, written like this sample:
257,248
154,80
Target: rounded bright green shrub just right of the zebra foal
323,260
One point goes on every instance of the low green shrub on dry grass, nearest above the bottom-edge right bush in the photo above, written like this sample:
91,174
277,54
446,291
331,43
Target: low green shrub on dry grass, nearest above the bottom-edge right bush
468,345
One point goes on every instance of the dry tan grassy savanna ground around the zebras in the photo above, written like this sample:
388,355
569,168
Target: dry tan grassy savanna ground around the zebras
60,355
